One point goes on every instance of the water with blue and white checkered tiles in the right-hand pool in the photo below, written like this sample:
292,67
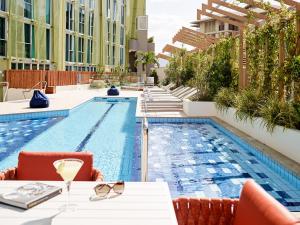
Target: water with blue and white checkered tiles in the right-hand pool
200,160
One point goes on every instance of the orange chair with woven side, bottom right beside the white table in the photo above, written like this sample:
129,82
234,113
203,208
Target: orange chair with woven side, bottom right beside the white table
255,207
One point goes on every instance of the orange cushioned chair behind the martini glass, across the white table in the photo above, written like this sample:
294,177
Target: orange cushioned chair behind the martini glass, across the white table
39,166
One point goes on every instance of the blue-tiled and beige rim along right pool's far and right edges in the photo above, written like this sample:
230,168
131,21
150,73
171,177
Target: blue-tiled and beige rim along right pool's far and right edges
276,159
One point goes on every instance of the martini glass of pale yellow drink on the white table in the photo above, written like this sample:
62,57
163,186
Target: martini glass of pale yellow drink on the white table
68,169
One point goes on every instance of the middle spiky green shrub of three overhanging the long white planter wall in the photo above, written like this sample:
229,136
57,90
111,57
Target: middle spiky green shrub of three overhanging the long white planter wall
248,103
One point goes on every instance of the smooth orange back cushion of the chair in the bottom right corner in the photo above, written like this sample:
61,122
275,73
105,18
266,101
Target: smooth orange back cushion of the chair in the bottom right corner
257,207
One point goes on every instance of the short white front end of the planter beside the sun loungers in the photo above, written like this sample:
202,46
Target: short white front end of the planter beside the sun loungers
201,109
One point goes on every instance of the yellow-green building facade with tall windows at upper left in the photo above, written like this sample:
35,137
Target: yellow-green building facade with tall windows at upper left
79,35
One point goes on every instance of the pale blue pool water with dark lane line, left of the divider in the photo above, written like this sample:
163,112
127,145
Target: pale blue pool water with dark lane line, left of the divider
104,127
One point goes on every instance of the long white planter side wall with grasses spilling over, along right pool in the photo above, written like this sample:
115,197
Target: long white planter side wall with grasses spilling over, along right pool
285,141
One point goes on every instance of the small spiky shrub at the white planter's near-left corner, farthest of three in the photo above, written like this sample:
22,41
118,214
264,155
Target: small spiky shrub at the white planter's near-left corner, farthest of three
225,99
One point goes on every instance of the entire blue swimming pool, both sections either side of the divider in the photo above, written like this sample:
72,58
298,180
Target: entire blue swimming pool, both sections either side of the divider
197,157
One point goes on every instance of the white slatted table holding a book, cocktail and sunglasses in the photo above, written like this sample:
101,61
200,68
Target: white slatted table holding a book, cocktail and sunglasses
141,203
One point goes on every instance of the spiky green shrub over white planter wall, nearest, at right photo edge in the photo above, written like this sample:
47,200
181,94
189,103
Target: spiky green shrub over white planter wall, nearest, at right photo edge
276,112
